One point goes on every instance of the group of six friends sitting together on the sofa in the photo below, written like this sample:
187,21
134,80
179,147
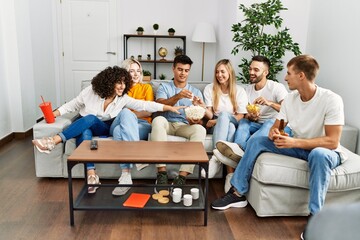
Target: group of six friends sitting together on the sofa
117,103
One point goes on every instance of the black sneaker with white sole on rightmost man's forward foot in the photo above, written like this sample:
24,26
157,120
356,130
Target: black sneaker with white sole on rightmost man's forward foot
230,199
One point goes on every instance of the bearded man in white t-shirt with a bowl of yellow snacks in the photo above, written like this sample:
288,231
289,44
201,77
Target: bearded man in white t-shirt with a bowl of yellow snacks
266,94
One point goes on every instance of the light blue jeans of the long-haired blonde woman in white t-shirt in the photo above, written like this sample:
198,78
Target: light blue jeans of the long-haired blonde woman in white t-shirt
224,128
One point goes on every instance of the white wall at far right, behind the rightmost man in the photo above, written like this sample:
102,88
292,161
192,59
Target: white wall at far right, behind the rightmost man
333,40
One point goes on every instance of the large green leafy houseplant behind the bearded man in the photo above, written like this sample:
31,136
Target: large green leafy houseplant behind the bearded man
250,35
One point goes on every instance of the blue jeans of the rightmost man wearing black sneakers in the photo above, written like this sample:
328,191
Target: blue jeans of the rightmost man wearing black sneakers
320,162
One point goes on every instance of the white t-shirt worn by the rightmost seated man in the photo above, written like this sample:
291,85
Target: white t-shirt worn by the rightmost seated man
308,119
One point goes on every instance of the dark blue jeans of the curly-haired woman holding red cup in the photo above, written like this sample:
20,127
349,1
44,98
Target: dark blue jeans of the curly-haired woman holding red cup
84,128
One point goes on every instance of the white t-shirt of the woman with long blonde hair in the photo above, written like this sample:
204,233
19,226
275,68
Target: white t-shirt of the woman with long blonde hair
225,104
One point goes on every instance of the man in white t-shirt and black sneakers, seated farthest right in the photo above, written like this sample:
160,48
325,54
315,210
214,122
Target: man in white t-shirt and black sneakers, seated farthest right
316,116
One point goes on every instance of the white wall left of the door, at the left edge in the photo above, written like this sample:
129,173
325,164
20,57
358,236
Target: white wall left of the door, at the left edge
26,62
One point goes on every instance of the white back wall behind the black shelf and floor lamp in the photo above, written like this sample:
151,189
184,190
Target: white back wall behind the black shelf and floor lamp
182,17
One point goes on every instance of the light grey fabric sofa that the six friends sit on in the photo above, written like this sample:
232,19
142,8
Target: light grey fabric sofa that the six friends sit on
278,187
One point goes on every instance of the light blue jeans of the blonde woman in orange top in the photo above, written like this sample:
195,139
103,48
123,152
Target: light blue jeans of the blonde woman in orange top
125,128
